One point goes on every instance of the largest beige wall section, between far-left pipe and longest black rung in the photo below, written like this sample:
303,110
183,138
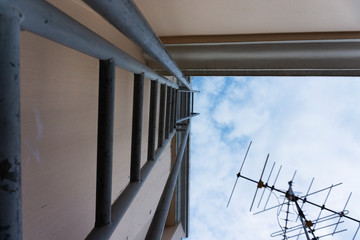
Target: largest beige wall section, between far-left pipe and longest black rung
58,136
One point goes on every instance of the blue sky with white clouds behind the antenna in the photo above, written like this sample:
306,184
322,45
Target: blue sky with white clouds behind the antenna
311,125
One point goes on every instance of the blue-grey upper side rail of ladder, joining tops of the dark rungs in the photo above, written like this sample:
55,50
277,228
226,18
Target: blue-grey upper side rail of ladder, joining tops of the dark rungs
45,20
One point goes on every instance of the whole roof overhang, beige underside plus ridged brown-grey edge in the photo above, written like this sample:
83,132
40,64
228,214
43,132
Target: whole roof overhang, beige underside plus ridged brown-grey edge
258,37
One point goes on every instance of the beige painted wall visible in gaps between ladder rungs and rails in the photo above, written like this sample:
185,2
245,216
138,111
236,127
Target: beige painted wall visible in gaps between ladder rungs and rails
59,104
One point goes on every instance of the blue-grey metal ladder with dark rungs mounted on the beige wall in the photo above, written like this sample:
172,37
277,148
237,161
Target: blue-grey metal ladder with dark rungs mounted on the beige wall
43,19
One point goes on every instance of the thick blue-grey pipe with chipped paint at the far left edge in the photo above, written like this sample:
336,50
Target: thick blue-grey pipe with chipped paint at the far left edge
10,161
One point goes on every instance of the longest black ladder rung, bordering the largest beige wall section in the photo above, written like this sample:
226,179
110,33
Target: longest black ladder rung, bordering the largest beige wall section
105,142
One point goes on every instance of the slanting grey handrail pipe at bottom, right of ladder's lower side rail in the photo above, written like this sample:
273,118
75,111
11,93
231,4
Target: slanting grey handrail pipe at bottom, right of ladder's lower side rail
156,228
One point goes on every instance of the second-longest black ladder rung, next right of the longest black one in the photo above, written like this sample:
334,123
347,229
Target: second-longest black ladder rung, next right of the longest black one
138,101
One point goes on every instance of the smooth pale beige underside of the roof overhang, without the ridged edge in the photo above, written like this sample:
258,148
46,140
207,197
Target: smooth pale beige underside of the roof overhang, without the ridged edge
223,17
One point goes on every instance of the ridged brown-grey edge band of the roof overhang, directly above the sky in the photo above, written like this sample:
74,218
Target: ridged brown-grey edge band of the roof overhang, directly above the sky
289,54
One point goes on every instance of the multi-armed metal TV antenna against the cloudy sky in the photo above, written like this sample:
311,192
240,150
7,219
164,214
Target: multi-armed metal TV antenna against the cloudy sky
291,208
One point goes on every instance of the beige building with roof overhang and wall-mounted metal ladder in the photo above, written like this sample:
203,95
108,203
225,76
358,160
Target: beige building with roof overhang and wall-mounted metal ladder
66,152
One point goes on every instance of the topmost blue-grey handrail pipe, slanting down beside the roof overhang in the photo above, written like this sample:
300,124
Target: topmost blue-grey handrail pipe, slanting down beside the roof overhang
128,19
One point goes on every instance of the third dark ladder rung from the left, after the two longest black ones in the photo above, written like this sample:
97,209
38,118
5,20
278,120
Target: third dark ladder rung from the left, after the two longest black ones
152,120
